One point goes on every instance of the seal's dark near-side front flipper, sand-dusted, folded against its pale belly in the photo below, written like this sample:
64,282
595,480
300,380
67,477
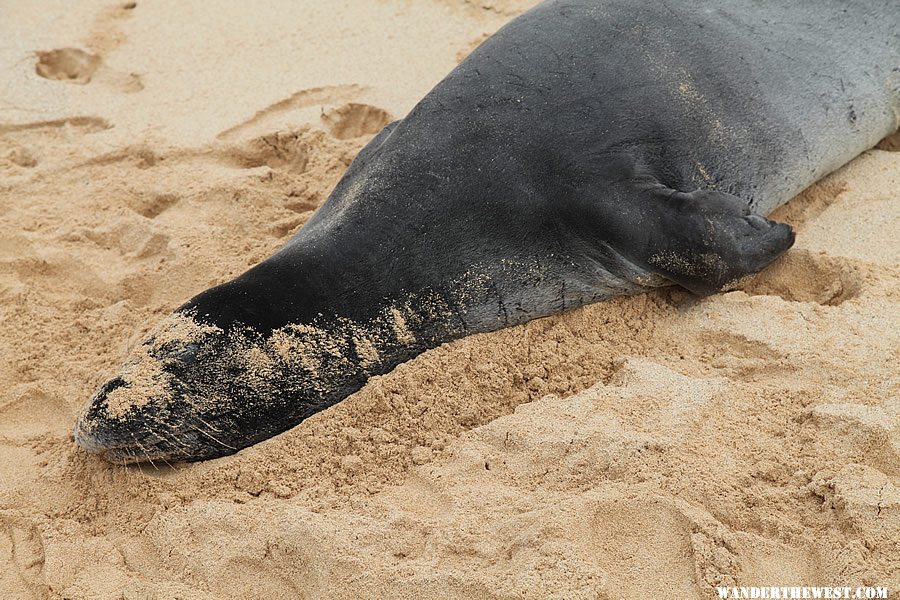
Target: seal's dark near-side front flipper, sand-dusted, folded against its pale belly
707,240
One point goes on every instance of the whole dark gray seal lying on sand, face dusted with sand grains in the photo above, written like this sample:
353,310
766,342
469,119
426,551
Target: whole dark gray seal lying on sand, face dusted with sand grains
589,149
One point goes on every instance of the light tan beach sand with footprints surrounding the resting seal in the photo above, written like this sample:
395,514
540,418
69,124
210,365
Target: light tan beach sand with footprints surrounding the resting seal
648,447
